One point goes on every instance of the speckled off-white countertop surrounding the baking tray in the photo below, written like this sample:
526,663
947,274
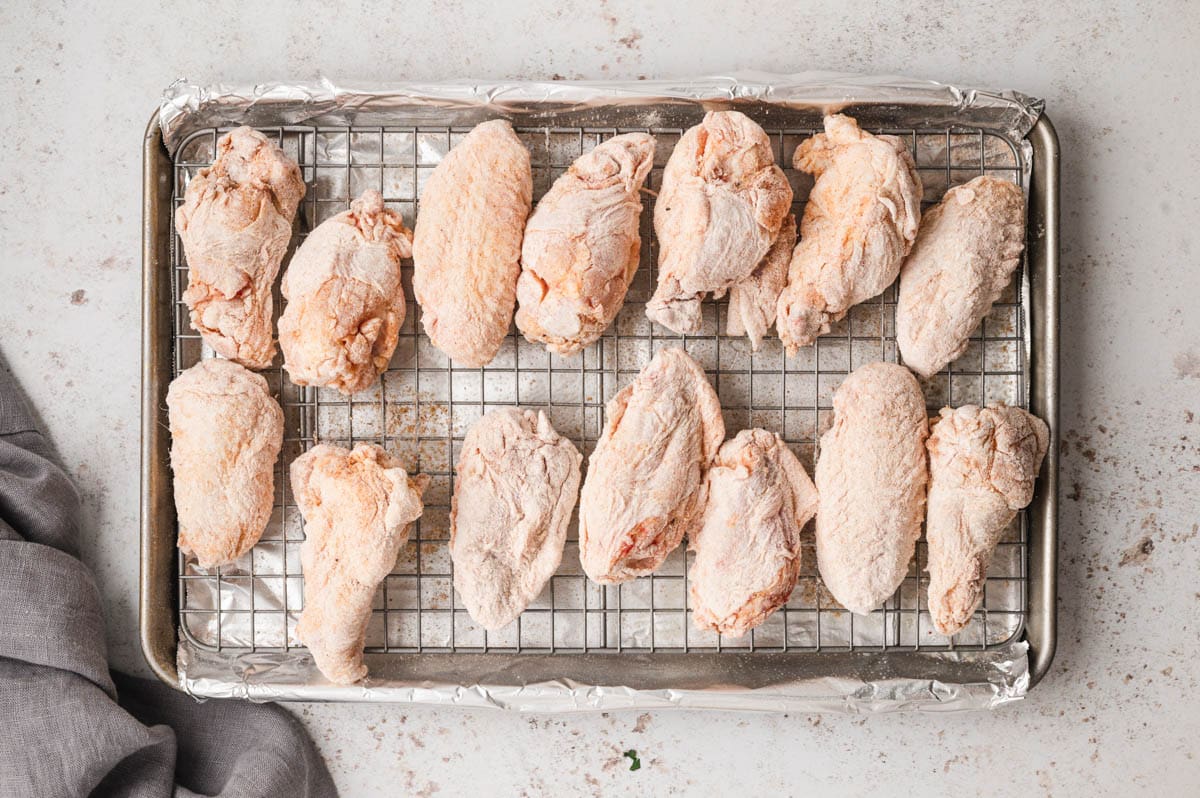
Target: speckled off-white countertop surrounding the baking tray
1119,710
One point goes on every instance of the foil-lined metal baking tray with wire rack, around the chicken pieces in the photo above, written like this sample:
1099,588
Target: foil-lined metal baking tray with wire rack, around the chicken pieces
581,645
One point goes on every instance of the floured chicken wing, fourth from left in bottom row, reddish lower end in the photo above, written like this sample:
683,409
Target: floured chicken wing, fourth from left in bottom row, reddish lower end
640,497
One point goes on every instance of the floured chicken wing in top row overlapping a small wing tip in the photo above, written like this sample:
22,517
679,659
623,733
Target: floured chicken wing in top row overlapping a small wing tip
721,208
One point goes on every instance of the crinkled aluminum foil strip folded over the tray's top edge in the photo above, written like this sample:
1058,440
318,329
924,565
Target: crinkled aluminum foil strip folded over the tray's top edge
189,107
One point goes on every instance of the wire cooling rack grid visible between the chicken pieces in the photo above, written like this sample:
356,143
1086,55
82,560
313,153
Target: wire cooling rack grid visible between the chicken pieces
423,407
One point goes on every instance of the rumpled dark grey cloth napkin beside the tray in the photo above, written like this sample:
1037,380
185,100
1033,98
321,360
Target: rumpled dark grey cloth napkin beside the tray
69,727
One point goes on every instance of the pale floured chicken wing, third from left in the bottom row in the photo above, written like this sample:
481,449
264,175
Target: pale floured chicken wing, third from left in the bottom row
515,489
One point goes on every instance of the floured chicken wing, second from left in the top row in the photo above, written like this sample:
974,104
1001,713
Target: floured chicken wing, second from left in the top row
345,299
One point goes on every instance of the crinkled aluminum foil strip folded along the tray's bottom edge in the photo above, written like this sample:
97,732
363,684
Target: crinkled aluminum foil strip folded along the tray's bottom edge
1000,677
